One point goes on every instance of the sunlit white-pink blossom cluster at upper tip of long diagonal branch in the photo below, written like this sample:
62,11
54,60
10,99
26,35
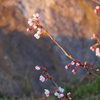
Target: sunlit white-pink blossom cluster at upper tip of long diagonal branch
34,24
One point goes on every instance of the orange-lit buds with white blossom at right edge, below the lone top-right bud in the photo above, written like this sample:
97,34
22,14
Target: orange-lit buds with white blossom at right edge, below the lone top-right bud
94,47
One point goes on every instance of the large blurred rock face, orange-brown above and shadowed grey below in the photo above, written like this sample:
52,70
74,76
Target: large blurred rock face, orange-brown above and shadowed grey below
70,22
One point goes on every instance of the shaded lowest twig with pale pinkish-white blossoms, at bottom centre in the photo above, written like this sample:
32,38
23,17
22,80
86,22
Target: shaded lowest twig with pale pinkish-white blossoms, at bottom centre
59,92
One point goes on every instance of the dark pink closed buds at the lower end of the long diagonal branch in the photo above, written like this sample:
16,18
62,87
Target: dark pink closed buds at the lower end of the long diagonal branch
77,63
